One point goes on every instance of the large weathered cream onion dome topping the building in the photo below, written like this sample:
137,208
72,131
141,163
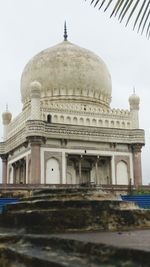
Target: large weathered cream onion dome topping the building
68,72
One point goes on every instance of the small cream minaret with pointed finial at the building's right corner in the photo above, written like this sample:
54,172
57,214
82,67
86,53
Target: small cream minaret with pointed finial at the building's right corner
134,102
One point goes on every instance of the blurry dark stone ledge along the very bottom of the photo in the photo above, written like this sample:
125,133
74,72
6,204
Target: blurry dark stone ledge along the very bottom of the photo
55,251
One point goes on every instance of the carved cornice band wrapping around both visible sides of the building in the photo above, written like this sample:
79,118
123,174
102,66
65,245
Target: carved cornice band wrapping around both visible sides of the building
40,129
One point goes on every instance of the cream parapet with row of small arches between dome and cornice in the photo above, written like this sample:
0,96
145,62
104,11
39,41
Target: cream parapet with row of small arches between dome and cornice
87,115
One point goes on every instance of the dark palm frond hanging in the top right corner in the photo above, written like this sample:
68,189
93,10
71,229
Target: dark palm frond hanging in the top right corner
137,11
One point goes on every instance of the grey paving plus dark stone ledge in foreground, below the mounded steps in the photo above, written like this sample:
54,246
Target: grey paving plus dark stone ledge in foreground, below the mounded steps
74,250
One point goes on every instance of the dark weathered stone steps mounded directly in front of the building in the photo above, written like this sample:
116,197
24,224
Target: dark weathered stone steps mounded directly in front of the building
63,210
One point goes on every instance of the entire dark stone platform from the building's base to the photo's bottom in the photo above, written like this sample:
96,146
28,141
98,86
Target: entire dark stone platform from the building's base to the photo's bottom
69,227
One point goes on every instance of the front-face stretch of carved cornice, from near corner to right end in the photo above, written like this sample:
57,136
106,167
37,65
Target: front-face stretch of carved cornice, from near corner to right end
76,132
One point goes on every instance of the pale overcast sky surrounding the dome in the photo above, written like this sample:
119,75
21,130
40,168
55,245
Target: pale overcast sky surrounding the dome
29,26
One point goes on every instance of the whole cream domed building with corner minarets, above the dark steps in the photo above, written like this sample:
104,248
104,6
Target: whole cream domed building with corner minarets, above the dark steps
67,132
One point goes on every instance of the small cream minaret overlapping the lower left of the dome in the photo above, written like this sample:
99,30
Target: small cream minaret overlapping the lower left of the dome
35,90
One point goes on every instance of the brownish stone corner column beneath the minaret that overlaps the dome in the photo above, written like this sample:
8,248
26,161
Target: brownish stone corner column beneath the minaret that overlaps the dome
35,143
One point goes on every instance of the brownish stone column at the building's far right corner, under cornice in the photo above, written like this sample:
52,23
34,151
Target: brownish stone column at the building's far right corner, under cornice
137,164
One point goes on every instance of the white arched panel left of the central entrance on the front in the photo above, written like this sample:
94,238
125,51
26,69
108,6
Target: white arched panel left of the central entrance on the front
52,171
